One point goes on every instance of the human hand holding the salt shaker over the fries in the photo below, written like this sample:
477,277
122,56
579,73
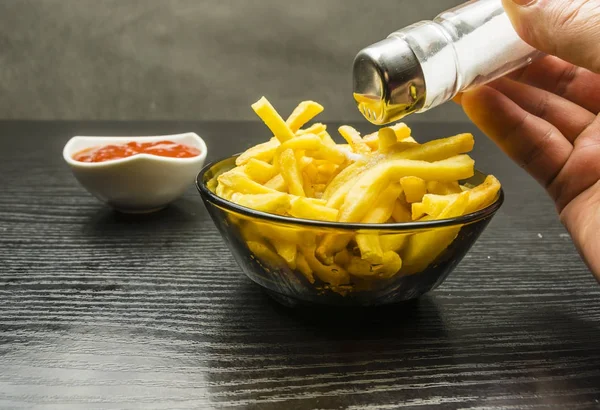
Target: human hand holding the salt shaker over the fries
546,116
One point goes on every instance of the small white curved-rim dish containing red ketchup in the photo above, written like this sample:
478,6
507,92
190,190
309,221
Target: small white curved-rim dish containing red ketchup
140,183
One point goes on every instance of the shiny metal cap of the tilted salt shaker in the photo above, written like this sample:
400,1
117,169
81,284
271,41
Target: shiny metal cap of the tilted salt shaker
388,81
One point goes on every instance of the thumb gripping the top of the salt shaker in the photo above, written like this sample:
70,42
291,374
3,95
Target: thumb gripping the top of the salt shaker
568,29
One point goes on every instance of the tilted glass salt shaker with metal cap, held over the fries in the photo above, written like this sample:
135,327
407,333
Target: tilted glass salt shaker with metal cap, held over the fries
426,64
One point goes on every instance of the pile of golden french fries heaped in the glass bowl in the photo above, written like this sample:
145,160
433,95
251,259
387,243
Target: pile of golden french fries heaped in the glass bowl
384,177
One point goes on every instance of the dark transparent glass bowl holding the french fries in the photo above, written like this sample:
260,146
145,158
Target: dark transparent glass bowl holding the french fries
254,238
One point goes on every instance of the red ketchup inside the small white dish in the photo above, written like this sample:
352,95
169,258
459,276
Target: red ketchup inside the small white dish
159,148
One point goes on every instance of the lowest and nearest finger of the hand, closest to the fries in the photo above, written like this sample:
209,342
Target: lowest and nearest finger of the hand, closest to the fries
531,142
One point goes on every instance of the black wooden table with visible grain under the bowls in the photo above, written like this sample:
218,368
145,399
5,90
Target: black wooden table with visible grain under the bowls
103,311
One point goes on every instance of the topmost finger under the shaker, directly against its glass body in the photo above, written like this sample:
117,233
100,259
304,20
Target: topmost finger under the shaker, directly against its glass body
575,84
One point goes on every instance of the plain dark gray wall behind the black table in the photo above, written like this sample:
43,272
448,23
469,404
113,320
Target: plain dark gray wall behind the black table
190,59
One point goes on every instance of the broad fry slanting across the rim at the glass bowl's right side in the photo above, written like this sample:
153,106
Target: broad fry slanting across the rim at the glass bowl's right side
423,248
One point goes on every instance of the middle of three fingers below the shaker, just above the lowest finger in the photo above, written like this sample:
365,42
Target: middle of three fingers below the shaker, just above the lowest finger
569,118
